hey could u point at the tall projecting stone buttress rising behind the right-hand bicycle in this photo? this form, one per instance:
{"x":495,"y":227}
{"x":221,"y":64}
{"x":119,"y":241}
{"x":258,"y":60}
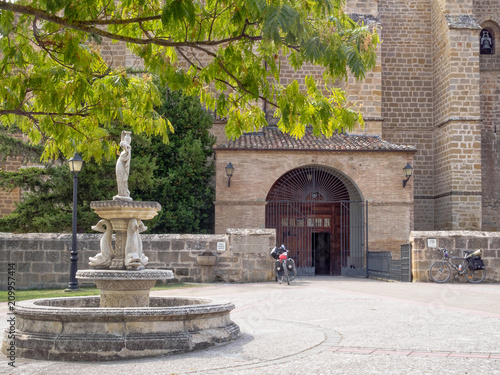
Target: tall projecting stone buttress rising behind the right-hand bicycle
{"x":457,"y":135}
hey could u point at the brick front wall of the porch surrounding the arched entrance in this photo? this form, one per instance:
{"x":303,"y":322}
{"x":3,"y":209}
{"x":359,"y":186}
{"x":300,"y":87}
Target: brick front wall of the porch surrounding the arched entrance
{"x":373,"y":173}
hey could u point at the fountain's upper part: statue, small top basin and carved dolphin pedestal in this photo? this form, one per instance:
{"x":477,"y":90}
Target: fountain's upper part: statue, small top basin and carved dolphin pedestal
{"x":124,"y":217}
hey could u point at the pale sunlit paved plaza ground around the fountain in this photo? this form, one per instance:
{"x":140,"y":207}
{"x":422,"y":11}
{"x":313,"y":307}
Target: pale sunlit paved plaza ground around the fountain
{"x":330,"y":325}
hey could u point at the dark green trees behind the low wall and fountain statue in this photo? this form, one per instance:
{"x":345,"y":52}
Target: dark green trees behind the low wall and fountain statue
{"x":177,"y":175}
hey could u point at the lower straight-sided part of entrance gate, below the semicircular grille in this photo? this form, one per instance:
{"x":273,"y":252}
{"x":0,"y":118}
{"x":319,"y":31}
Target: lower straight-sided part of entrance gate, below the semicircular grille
{"x":326,"y":238}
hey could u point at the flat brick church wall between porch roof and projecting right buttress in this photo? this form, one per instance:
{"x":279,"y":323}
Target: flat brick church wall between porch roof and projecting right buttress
{"x":407,"y":98}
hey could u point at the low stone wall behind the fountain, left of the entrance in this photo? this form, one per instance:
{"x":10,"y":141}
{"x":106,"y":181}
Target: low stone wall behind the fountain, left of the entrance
{"x":240,"y":255}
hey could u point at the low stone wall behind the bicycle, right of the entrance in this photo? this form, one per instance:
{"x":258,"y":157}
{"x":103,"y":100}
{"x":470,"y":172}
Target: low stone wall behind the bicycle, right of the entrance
{"x":456,"y":242}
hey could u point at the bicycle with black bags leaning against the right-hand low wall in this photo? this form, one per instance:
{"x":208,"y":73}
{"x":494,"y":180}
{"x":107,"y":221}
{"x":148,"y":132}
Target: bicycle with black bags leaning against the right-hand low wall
{"x":471,"y":265}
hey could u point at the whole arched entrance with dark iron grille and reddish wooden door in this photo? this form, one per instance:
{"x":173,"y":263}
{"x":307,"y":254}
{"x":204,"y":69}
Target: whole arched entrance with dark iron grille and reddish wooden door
{"x":319,"y":214}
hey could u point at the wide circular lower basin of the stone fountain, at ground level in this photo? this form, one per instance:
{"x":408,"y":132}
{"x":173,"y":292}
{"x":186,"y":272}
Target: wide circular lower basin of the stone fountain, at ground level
{"x":77,"y":329}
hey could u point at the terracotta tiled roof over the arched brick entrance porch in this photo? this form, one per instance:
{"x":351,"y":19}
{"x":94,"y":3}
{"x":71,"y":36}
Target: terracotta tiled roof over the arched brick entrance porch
{"x":272,"y":138}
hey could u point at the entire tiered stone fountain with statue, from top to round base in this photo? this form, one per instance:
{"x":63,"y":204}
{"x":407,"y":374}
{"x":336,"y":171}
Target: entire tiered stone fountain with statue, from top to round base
{"x":124,"y":322}
